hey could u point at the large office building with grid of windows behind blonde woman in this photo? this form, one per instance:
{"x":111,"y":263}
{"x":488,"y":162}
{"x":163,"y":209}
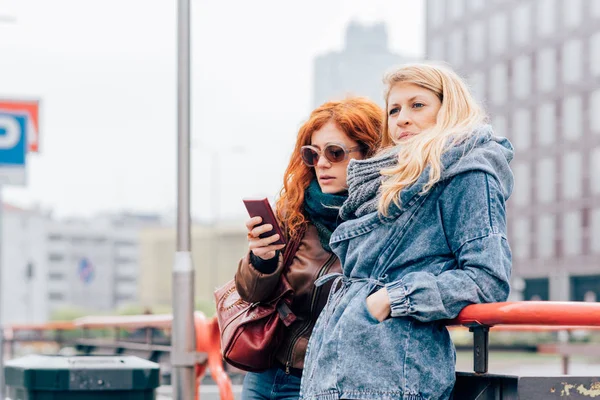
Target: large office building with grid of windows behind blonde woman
{"x":535,"y":64}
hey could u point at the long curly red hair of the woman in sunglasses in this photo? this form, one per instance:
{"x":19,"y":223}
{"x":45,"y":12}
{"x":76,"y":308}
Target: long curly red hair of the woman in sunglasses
{"x":359,"y":118}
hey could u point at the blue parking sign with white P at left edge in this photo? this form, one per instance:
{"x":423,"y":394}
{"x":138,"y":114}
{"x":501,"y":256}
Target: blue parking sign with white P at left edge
{"x":13,"y":148}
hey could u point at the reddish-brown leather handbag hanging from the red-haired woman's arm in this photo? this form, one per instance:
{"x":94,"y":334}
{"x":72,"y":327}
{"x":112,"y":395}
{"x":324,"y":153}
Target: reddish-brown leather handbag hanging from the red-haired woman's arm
{"x":252,"y":332}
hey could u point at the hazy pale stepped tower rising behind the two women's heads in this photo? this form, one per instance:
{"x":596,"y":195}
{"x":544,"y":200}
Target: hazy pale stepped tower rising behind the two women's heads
{"x":356,"y":70}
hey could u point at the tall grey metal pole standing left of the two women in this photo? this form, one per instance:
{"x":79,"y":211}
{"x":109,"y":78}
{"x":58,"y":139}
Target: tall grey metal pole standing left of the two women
{"x":183,"y":354}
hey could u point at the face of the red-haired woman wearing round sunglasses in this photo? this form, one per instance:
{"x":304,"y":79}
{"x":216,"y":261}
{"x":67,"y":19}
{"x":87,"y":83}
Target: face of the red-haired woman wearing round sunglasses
{"x":332,"y":176}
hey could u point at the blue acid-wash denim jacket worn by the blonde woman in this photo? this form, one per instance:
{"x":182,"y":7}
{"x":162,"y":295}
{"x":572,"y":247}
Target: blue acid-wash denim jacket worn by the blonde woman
{"x":437,"y":253}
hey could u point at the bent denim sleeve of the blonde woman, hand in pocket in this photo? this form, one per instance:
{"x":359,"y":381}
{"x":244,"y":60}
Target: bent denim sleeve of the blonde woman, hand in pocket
{"x":472,"y":211}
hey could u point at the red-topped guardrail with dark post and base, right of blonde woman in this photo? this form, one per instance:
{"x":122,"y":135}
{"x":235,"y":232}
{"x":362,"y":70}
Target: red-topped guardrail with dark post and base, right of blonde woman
{"x":525,"y":315}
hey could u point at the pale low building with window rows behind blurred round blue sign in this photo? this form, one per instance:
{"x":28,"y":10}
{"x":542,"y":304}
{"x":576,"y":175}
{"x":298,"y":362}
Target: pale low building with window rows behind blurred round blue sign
{"x":92,"y":265}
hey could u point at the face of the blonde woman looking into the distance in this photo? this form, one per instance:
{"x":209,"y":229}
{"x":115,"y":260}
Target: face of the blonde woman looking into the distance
{"x":411,"y":110}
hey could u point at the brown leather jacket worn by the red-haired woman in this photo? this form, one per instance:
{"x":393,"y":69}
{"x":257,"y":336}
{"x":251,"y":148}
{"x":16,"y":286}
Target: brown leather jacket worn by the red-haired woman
{"x":310,"y":263}
